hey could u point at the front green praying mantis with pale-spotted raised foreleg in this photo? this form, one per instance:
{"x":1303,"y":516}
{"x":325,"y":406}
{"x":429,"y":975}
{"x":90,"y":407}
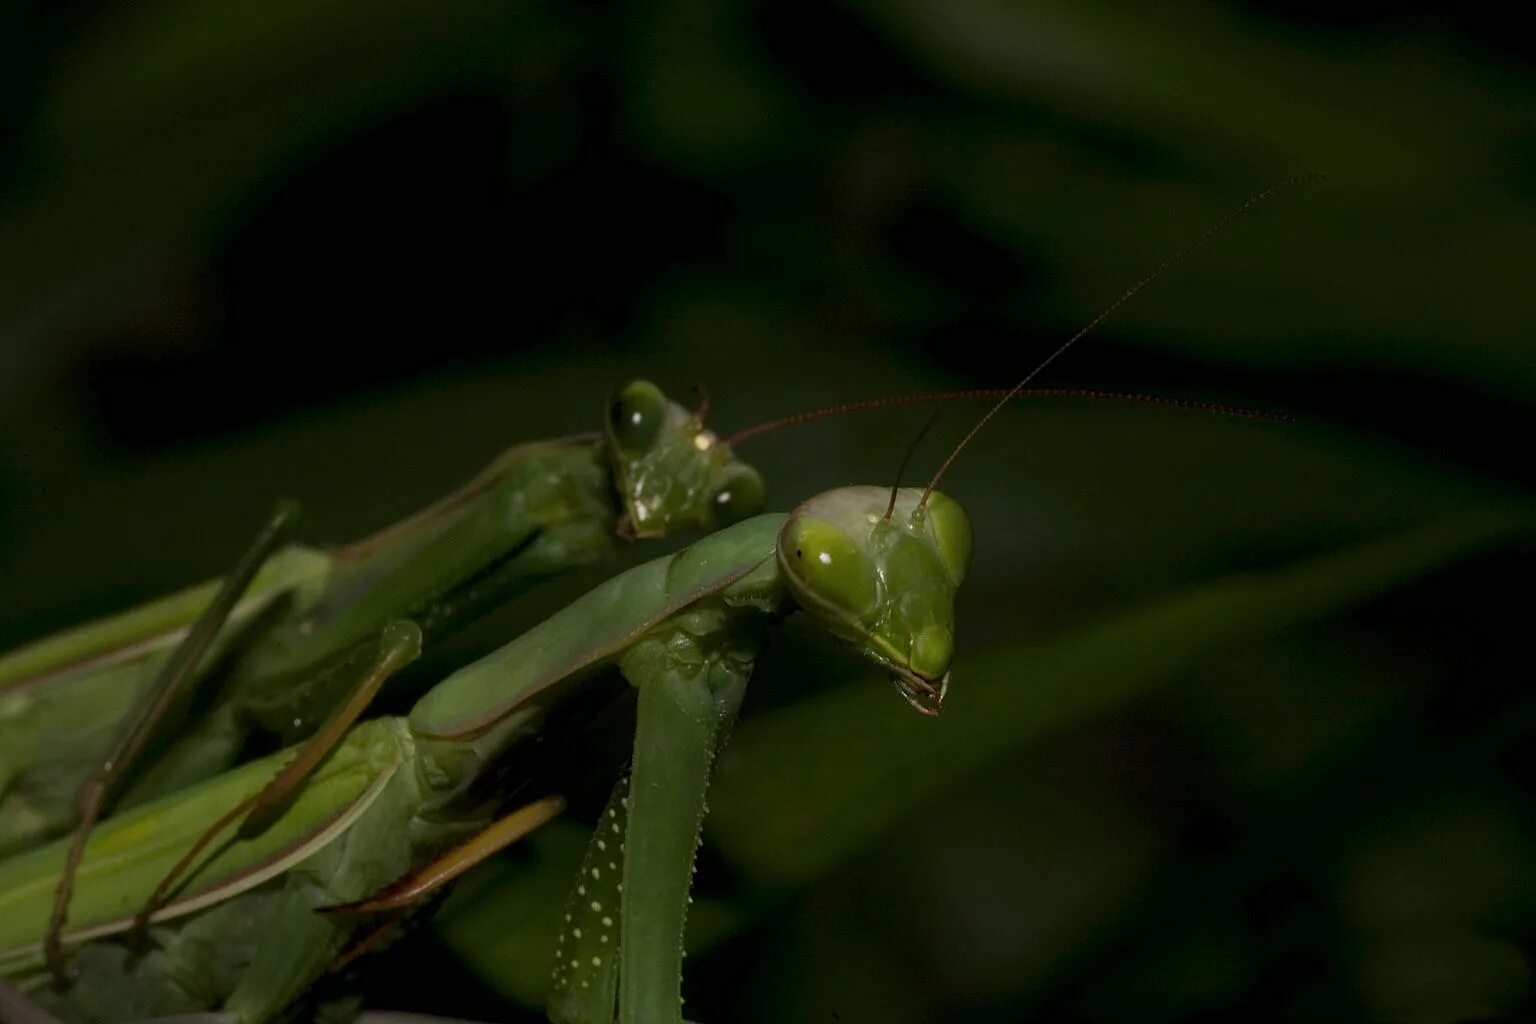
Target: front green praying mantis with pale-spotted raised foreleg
{"x":257,"y":907}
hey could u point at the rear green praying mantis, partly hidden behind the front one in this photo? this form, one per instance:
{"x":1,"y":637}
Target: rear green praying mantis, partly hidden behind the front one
{"x":294,"y":633}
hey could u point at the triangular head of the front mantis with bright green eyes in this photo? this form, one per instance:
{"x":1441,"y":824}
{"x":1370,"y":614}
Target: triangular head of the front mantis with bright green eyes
{"x":884,"y":583}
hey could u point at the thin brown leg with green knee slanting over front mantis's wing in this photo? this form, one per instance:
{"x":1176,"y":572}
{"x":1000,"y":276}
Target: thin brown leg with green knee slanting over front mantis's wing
{"x":400,"y":644}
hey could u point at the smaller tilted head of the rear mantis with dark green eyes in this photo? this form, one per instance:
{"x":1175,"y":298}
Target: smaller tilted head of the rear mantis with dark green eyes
{"x":670,"y":472}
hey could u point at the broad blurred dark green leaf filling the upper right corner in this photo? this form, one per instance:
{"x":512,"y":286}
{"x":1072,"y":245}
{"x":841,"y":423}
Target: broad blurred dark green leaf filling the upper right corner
{"x":1408,"y":254}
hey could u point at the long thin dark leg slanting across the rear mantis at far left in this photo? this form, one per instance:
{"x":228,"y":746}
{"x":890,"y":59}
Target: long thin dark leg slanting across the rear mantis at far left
{"x":179,"y":670}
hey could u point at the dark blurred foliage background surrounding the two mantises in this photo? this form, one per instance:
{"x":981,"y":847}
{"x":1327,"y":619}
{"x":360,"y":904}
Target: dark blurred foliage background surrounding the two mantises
{"x":349,"y":251}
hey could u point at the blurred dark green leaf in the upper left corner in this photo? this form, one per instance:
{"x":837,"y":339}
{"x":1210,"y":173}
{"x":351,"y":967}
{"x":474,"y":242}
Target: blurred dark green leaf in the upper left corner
{"x":162,"y":117}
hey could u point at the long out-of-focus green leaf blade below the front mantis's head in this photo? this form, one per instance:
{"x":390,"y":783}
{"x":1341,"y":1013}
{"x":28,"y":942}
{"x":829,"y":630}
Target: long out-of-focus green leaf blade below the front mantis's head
{"x":809,"y":785}
